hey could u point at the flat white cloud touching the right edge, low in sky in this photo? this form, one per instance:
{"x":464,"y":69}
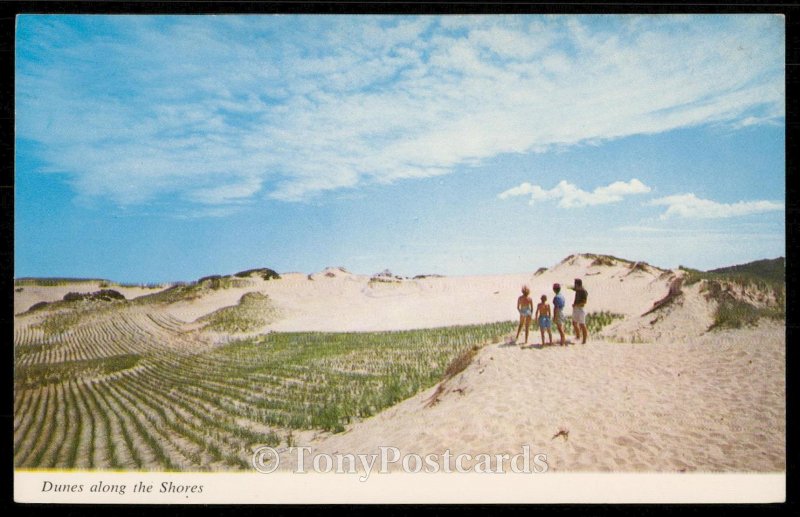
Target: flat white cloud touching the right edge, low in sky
{"x":692,"y":207}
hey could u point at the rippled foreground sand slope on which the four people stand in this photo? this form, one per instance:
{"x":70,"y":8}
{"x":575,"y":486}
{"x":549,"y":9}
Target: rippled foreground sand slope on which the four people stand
{"x":715,"y":403}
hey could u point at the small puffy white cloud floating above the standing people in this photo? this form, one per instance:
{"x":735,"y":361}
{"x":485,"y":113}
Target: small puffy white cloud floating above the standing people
{"x":570,"y":196}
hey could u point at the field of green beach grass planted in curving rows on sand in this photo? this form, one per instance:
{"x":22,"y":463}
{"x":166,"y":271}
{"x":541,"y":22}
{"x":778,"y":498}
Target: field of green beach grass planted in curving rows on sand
{"x":135,"y":390}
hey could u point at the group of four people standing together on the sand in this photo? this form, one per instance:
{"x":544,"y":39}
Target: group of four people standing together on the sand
{"x":543,"y":317}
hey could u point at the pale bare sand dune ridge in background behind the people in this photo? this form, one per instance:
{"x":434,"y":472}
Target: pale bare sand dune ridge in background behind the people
{"x":334,"y":300}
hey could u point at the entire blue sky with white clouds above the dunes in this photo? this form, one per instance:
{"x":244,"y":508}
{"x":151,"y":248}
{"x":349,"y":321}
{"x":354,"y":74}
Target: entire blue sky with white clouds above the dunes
{"x":159,"y":148}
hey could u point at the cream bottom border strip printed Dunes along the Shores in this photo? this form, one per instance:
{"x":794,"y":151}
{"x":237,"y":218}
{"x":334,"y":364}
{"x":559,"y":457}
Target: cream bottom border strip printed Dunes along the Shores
{"x":401,"y":488}
